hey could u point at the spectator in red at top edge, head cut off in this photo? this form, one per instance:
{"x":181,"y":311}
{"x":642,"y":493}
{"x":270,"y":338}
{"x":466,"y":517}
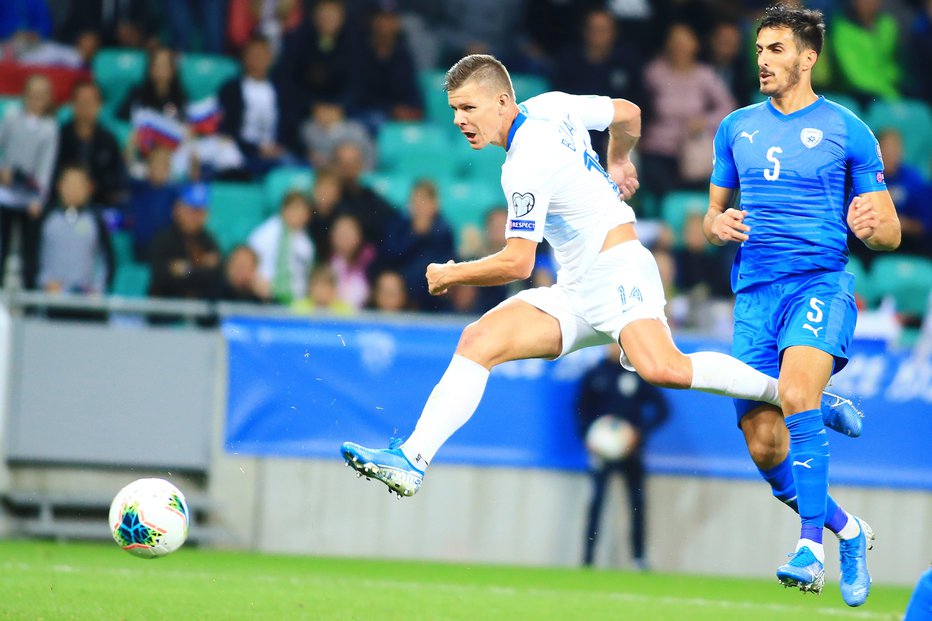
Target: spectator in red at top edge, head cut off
{"x":271,"y":19}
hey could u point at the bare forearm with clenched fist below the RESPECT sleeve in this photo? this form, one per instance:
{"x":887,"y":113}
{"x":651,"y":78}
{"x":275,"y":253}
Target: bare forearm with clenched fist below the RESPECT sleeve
{"x":514,"y":262}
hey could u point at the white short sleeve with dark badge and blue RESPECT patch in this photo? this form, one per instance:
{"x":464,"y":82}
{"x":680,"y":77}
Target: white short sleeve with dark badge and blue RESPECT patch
{"x":528,"y":189}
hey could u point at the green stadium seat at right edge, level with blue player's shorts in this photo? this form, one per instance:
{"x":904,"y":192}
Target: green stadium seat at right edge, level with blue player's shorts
{"x":907,"y":279}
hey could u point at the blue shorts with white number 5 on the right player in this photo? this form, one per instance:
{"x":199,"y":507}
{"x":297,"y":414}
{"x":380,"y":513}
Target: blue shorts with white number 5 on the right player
{"x":817,"y":310}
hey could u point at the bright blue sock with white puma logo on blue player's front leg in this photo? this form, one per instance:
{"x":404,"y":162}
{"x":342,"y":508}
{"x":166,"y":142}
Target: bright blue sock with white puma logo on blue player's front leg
{"x":809,"y":452}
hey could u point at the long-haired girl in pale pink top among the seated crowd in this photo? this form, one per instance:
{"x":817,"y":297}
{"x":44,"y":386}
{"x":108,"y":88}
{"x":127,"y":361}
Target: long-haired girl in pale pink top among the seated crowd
{"x":351,"y":258}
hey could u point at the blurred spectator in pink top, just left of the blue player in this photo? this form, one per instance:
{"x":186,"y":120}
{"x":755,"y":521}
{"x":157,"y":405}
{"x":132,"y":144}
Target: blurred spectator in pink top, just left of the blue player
{"x":686,"y":102}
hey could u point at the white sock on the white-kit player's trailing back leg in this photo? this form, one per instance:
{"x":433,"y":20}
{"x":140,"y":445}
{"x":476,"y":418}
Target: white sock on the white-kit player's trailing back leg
{"x":720,"y":374}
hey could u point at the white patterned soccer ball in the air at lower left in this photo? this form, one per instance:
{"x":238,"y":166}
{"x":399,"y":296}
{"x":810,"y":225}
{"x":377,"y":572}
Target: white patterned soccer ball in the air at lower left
{"x":149,"y":518}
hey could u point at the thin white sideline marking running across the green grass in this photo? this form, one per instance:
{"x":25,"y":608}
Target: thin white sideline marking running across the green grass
{"x":843,"y":613}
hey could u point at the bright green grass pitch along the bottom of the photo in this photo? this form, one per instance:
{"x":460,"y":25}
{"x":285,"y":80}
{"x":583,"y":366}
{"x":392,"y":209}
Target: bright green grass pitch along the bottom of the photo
{"x":95,"y":582}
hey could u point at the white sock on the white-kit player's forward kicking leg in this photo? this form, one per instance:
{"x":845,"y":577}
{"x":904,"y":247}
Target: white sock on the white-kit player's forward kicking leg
{"x":450,"y":405}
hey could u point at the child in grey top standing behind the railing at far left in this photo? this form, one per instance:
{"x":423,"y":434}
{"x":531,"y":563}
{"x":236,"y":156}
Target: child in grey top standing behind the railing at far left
{"x":75,"y":253}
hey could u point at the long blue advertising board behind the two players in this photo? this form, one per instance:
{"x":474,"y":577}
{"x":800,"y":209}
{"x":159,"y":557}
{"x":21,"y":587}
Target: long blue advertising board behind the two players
{"x":300,"y":388}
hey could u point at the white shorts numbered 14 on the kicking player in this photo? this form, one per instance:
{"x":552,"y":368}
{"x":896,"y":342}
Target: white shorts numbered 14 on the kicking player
{"x":623,"y":285}
